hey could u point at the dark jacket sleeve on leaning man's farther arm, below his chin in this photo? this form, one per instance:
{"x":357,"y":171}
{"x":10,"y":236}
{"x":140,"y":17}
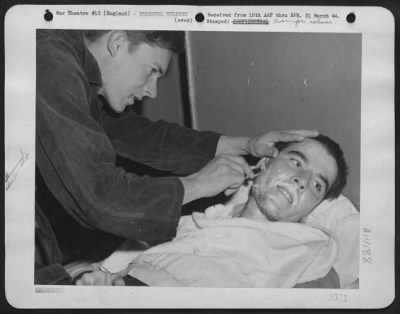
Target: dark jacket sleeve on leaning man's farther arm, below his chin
{"x":161,"y":145}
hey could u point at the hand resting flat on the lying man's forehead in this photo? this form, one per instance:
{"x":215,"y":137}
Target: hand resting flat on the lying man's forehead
{"x":263,"y":145}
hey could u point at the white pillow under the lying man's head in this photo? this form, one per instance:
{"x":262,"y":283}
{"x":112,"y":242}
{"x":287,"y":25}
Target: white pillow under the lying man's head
{"x":342,"y":219}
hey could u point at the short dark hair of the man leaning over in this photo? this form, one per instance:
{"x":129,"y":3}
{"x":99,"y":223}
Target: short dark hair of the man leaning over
{"x":171,"y":40}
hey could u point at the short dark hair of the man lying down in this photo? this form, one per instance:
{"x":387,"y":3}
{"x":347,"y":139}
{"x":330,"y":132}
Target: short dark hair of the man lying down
{"x":336,"y":152}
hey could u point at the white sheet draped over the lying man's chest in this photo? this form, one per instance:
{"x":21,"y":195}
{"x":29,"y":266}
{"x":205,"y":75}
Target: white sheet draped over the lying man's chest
{"x":215,"y":250}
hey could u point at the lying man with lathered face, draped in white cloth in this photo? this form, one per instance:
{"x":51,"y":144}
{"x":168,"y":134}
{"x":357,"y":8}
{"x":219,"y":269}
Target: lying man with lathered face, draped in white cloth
{"x":262,"y":243}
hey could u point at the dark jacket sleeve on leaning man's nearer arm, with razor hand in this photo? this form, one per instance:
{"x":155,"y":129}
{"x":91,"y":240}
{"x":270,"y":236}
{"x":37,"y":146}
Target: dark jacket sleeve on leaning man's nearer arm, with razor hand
{"x":77,"y":160}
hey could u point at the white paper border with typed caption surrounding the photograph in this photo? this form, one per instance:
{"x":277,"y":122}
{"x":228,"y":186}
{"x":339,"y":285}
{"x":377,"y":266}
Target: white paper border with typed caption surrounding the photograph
{"x":377,"y":162}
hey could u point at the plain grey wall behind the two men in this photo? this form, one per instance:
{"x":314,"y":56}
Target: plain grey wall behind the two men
{"x":248,"y":83}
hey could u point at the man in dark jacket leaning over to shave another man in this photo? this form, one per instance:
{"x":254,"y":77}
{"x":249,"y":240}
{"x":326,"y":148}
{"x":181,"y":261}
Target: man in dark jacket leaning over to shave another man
{"x":86,"y":80}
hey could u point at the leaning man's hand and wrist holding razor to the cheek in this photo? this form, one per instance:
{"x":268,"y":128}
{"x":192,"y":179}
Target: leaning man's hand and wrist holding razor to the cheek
{"x":223,"y":173}
